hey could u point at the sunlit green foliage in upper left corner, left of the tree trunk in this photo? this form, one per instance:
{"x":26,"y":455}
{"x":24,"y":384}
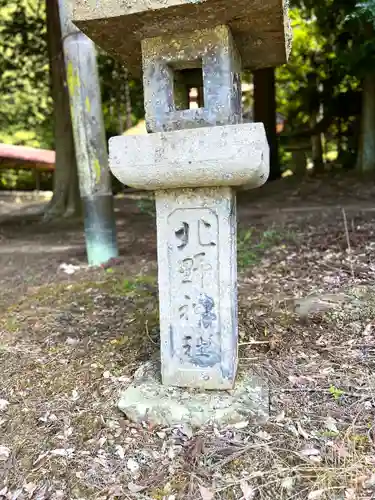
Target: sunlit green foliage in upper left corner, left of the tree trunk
{"x":25,"y":103}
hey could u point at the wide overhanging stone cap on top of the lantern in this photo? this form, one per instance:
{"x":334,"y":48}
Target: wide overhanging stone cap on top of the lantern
{"x":260,"y":28}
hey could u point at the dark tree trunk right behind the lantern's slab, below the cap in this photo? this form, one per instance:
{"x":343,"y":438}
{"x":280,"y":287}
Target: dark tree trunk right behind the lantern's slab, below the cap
{"x":265,"y":111}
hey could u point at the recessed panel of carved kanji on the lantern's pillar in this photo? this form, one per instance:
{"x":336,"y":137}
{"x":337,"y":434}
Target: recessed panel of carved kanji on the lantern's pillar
{"x":194,"y":286}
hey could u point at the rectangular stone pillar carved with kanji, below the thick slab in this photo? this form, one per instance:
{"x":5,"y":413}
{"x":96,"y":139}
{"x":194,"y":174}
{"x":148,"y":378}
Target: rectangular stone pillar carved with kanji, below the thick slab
{"x":196,"y":235}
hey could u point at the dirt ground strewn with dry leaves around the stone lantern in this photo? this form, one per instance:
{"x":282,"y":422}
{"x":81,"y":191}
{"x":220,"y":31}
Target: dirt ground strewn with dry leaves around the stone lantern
{"x":71,"y":337}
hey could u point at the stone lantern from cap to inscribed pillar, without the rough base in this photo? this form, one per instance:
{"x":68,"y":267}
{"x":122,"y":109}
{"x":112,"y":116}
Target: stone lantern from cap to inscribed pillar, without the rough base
{"x":193,"y":159}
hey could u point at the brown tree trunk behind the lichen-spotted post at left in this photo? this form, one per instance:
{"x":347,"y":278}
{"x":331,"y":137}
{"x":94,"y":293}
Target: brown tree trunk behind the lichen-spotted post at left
{"x":66,"y":199}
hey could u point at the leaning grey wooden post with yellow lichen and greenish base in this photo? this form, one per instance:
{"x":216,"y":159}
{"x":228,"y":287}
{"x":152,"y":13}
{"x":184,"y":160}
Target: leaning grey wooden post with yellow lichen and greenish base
{"x":89,"y":140}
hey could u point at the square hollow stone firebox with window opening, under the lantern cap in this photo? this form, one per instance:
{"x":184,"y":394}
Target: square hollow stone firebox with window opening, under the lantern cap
{"x":169,"y":61}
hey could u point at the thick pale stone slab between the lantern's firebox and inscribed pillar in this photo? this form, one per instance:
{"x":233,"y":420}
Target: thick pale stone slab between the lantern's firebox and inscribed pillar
{"x":232,"y":155}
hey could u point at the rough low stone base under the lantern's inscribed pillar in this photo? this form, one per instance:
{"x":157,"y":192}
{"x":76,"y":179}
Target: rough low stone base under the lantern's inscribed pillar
{"x":148,"y":400}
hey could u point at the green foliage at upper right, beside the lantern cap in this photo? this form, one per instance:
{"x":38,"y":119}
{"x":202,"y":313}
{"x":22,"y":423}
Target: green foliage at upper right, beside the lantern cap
{"x":333,"y":50}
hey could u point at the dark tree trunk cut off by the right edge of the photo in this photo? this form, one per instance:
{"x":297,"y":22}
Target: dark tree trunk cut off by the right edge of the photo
{"x":366,"y":150}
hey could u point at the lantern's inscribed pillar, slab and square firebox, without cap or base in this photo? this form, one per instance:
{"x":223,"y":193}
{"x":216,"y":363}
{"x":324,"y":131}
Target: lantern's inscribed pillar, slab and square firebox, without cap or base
{"x":193,"y":158}
